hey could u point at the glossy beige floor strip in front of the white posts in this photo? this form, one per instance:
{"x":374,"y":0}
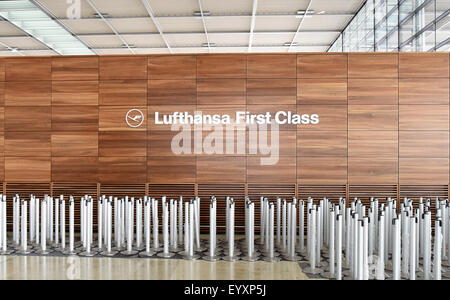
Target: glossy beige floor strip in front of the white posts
{"x":52,"y":268}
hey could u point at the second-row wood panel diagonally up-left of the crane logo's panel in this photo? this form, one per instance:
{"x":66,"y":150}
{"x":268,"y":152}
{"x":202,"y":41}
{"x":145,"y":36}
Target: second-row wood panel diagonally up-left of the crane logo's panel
{"x":75,"y":93}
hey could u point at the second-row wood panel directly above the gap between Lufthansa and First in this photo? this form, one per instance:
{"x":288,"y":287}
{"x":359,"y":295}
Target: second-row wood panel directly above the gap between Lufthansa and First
{"x":221,"y":91}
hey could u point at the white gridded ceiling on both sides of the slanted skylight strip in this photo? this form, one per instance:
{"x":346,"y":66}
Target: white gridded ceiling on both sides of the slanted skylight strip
{"x":188,"y":26}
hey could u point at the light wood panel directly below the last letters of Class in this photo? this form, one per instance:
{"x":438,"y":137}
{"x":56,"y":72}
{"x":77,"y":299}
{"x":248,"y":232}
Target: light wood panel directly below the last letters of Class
{"x":322,"y":143}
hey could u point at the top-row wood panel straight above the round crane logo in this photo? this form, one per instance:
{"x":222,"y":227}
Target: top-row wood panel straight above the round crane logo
{"x":123,"y":67}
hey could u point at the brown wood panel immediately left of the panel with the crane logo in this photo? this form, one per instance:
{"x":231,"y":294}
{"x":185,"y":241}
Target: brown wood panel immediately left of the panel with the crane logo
{"x":75,"y":118}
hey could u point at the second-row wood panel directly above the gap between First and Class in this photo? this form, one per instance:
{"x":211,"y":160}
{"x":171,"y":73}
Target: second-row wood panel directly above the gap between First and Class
{"x":271,"y":91}
